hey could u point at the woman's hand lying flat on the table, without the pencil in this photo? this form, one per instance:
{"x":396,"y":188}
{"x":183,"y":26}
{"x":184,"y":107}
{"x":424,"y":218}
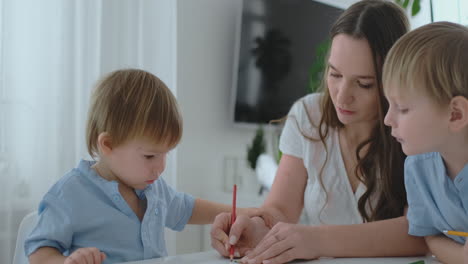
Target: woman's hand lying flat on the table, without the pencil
{"x":284,"y":243}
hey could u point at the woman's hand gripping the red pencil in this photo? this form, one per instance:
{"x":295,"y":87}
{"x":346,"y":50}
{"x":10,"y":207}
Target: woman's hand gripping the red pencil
{"x":245,"y":233}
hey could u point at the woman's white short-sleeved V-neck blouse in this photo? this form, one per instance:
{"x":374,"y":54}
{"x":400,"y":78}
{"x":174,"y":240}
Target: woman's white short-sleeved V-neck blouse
{"x":342,"y":205}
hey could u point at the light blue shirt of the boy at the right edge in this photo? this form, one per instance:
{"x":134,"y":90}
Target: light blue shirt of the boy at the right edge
{"x":436,"y":202}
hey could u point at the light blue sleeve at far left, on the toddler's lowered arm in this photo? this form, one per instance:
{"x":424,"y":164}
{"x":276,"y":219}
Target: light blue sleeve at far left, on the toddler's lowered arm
{"x":54,"y":228}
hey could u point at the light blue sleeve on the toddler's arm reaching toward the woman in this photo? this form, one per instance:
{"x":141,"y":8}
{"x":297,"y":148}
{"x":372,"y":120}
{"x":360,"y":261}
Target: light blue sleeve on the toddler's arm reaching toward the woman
{"x":179,"y":207}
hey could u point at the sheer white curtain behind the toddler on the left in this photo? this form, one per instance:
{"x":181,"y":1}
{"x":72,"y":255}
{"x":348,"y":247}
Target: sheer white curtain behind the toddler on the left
{"x":51,"y":54}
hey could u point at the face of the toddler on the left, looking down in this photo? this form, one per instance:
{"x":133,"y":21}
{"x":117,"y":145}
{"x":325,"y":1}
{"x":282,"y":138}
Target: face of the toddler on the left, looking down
{"x":138,"y":163}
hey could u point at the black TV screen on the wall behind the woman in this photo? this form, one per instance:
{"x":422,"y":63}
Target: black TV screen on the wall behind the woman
{"x":277,"y":47}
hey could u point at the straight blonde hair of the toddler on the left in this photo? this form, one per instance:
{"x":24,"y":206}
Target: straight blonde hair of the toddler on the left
{"x":133,"y":103}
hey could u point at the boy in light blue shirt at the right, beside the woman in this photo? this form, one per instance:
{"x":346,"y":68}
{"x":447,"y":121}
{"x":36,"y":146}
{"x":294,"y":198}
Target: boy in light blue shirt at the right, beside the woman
{"x":426,"y":82}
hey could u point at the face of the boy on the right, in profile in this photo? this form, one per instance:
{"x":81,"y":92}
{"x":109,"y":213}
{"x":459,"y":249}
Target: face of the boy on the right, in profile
{"x":417,"y":122}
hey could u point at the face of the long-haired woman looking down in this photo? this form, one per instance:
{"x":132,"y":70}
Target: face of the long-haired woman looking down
{"x":352,"y":81}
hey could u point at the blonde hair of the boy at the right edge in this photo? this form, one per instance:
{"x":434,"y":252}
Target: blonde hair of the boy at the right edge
{"x":432,"y":59}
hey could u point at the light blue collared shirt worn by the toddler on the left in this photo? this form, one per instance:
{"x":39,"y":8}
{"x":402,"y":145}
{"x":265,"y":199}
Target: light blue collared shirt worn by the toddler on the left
{"x":84,"y":210}
